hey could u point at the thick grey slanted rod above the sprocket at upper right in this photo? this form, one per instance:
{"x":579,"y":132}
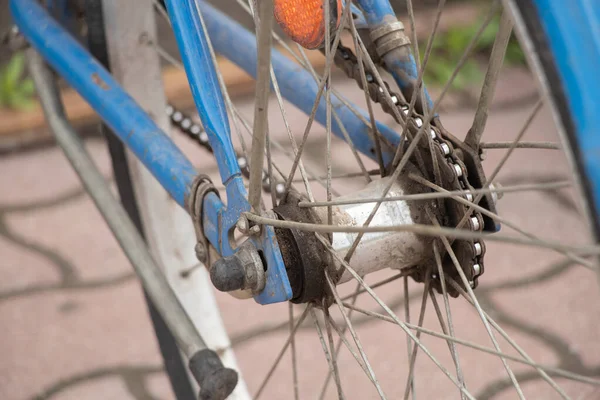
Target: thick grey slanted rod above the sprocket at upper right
{"x":491,"y":79}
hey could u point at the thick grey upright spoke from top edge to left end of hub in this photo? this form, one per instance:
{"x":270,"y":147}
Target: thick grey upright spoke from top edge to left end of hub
{"x":261,"y":114}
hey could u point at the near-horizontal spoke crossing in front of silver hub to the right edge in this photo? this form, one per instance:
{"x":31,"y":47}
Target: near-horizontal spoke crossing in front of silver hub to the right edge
{"x":426,"y":230}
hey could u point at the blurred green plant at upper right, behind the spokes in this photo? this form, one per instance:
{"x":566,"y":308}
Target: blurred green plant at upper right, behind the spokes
{"x":449,"y":46}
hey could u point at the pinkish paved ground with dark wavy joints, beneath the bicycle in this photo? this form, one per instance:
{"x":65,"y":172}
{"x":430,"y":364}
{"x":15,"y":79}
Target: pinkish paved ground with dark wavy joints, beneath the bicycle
{"x":74,"y":325}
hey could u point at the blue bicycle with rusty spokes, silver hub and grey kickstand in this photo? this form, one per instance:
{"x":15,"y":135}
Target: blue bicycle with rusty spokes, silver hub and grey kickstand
{"x":431,"y":185}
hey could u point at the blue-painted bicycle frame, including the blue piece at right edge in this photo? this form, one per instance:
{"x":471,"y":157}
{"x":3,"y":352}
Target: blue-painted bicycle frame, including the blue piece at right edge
{"x":176,"y":174}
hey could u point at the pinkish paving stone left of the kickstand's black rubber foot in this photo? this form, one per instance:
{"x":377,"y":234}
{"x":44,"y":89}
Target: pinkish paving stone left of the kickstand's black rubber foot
{"x":53,"y":336}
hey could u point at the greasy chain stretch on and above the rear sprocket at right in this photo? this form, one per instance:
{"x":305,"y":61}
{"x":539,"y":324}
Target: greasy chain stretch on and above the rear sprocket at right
{"x":454,"y":174}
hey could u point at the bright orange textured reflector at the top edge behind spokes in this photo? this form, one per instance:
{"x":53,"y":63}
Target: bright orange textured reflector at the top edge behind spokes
{"x":302,"y":20}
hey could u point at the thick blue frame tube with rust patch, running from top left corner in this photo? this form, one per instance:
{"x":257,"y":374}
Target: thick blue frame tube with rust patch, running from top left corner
{"x":125,"y":117}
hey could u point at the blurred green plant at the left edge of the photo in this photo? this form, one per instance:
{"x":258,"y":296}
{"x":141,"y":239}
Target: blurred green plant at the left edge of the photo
{"x":16,"y":91}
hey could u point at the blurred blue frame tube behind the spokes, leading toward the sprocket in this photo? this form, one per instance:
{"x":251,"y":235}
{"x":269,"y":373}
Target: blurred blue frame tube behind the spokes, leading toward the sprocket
{"x":296,"y":84}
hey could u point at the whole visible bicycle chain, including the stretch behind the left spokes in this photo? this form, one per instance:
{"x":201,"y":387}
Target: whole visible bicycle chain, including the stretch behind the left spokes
{"x":470,"y":253}
